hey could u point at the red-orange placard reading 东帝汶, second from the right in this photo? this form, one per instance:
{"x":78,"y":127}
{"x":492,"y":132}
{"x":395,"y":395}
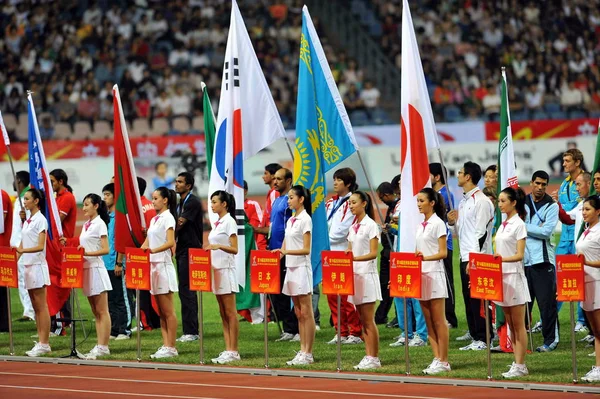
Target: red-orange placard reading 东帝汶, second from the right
{"x":485,"y":274}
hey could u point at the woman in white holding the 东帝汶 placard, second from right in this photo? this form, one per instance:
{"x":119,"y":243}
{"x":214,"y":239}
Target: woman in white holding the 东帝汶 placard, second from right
{"x":510,"y":245}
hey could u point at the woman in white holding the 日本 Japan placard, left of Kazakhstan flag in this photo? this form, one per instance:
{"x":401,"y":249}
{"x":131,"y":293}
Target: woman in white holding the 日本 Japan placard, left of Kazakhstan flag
{"x":298,"y":283}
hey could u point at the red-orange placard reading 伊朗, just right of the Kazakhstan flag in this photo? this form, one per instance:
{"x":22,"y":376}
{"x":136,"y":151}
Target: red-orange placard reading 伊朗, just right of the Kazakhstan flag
{"x":338,"y":273}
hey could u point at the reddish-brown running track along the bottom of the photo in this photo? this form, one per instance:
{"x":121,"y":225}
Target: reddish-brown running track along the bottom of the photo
{"x":42,"y":380}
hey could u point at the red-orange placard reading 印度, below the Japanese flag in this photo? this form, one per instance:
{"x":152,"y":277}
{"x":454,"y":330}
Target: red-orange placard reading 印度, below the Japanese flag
{"x":405,"y":275}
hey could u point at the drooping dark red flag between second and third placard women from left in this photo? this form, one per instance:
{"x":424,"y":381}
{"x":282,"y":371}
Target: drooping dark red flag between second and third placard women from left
{"x":129,"y":219}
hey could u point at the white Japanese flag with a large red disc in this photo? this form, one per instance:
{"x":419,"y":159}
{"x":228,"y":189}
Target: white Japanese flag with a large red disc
{"x":418,"y":134}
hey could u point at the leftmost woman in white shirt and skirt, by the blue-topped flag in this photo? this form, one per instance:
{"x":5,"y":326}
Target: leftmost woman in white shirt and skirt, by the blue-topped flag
{"x":37,"y":276}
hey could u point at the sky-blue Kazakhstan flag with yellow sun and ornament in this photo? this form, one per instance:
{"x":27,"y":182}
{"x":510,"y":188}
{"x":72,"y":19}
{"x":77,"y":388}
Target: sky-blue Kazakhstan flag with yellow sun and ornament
{"x":324,"y":135}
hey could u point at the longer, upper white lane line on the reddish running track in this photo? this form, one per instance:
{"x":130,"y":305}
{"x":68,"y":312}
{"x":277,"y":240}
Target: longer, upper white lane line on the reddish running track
{"x":195,"y":384}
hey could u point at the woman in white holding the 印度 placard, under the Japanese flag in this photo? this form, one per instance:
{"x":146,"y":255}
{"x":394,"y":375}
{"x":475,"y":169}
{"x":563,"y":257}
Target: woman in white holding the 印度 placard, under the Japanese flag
{"x":431,"y":246}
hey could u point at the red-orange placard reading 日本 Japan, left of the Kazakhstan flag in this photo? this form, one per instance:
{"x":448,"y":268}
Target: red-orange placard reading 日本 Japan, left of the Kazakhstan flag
{"x":264,"y":272}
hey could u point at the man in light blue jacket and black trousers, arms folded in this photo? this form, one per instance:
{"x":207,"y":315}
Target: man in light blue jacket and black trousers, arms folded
{"x":541,"y":219}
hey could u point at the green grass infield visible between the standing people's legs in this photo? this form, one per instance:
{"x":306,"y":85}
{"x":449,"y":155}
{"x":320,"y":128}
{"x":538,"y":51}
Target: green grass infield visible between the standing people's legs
{"x":543,"y":367}
